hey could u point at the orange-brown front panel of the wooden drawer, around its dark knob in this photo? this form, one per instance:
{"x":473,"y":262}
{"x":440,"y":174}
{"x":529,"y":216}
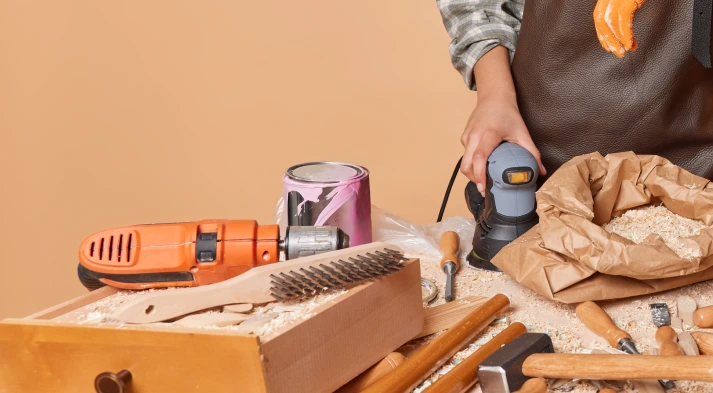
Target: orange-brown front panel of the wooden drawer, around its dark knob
{"x":42,"y":356}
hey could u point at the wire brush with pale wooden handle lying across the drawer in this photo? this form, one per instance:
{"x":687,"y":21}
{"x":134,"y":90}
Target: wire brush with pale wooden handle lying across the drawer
{"x":292,"y":280}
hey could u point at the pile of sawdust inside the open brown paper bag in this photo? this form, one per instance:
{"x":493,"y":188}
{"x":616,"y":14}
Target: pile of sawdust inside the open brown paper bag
{"x":638,"y":224}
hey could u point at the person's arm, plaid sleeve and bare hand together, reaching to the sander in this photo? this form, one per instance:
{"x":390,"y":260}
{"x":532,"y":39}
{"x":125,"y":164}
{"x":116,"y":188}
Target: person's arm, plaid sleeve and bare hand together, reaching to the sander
{"x":484,"y":34}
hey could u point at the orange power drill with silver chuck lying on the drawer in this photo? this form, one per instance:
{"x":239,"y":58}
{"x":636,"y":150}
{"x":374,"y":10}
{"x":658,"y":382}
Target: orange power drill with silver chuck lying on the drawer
{"x":193,"y":253}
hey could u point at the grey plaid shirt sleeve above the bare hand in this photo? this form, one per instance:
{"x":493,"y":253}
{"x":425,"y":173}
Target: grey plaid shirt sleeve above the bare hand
{"x":476,"y":27}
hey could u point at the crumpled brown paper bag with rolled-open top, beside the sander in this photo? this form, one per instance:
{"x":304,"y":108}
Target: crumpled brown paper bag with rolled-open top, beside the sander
{"x":569,"y":257}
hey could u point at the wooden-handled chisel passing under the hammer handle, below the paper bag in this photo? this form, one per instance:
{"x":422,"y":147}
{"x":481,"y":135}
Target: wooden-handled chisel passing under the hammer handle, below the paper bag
{"x":599,"y":322}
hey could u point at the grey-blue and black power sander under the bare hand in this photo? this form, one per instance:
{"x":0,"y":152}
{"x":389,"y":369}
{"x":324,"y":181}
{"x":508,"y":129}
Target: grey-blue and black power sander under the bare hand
{"x":508,"y":208}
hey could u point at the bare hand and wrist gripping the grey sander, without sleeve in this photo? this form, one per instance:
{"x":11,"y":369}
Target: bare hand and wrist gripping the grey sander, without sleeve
{"x":496,"y":117}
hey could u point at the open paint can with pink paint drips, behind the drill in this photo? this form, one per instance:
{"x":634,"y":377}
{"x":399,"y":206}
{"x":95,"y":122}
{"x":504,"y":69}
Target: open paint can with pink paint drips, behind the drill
{"x":330,"y":194}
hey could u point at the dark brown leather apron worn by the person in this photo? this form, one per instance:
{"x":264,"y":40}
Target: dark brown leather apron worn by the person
{"x":577,"y":98}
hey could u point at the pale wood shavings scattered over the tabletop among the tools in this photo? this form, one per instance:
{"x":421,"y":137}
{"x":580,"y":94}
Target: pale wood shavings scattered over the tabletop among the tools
{"x":569,"y":335}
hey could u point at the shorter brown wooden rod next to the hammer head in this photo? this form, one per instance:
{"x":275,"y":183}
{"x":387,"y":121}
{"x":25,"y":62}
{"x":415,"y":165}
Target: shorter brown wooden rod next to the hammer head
{"x":463,"y":376}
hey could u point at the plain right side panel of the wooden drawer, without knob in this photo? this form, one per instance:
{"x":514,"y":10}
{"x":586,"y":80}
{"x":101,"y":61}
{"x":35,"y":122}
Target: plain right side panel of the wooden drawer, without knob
{"x":339,"y":342}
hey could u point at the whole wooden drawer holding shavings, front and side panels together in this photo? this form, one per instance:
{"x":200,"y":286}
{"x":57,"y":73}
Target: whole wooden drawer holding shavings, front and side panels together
{"x":315,"y":355}
